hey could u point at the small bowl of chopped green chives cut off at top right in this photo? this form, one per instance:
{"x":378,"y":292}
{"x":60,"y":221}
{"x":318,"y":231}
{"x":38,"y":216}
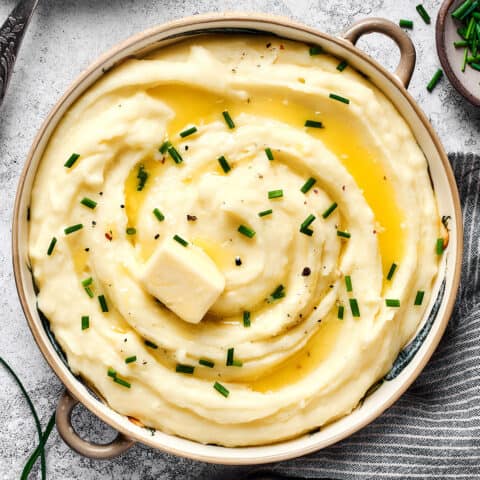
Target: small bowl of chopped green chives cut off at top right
{"x":458,"y":46}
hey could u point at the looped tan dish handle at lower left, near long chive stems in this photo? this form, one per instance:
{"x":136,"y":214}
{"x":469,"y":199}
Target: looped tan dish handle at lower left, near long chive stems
{"x":97,"y":451}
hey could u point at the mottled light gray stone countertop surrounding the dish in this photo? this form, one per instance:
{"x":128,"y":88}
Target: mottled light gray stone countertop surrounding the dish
{"x":65,"y":36}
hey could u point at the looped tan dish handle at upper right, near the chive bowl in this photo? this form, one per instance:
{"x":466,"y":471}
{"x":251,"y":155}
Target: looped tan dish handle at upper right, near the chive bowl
{"x":408,"y":55}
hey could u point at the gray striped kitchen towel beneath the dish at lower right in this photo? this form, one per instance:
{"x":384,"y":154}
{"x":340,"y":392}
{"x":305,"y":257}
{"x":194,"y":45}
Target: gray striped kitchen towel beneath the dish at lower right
{"x":433,"y":430}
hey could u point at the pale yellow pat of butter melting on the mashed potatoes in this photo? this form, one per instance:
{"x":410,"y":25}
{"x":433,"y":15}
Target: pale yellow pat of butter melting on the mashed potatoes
{"x":184,"y":279}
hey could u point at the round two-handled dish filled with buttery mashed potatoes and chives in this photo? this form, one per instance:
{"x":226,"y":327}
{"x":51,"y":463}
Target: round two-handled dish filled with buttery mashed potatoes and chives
{"x":237,"y":239}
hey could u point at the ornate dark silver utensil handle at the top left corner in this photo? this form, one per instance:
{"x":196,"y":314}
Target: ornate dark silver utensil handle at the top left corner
{"x":11,"y":36}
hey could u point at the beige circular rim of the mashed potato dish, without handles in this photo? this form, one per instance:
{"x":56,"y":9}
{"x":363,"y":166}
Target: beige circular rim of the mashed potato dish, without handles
{"x":190,"y":23}
